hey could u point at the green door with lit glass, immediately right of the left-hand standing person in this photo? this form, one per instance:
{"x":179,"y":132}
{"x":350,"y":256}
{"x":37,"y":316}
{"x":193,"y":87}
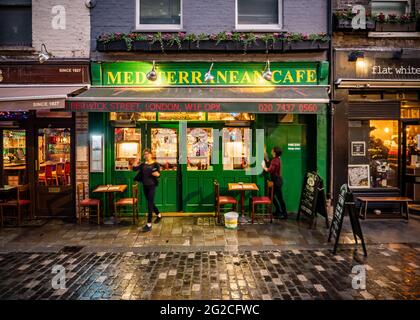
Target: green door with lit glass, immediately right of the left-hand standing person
{"x":163,"y":140}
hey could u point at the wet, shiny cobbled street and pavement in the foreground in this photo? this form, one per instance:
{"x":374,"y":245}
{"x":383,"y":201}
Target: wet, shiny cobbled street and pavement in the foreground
{"x":192,"y":258}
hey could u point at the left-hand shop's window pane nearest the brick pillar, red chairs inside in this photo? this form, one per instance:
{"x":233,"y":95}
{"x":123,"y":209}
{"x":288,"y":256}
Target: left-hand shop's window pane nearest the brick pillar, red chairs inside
{"x":54,"y":149}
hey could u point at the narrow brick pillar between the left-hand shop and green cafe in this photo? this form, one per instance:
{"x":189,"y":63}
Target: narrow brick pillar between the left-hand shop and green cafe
{"x":82,"y":149}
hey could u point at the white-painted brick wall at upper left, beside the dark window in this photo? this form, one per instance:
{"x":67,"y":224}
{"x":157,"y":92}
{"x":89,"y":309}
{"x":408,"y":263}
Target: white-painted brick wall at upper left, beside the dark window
{"x":74,"y":41}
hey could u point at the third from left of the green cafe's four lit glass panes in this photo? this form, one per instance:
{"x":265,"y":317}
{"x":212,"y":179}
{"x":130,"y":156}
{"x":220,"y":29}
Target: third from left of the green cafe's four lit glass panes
{"x":199,"y":148}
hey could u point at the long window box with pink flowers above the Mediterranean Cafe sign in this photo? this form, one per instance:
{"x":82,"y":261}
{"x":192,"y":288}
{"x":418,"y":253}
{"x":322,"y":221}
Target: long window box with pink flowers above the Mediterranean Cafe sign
{"x":223,"y":41}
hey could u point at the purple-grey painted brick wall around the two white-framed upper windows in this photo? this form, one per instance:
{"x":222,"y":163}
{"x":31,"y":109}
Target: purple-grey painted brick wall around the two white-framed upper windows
{"x":306,"y":16}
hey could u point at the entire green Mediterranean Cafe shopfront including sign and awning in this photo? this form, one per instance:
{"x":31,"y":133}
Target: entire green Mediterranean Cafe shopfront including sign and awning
{"x":202,"y":131}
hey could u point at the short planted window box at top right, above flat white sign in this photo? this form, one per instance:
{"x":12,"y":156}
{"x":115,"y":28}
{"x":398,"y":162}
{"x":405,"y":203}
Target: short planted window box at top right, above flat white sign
{"x":395,"y":23}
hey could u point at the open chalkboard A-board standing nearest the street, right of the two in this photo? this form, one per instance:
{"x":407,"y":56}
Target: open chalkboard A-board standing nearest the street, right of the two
{"x":345,"y":202}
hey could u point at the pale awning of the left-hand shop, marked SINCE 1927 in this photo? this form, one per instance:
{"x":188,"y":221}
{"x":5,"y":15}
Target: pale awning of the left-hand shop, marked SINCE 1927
{"x":36,"y":97}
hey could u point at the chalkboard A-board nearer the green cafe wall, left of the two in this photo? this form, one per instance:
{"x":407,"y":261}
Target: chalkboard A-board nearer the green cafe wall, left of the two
{"x":312,"y":199}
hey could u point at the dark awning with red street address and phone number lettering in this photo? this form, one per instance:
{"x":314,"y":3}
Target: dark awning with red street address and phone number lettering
{"x":297,"y":99}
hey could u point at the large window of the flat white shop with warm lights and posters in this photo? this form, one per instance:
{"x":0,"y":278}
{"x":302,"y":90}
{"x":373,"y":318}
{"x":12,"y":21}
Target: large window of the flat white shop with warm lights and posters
{"x":373,"y":154}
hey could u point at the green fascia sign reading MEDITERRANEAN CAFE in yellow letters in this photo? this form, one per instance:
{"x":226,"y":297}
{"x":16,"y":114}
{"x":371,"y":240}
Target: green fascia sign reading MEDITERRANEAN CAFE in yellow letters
{"x":224,"y":73}
